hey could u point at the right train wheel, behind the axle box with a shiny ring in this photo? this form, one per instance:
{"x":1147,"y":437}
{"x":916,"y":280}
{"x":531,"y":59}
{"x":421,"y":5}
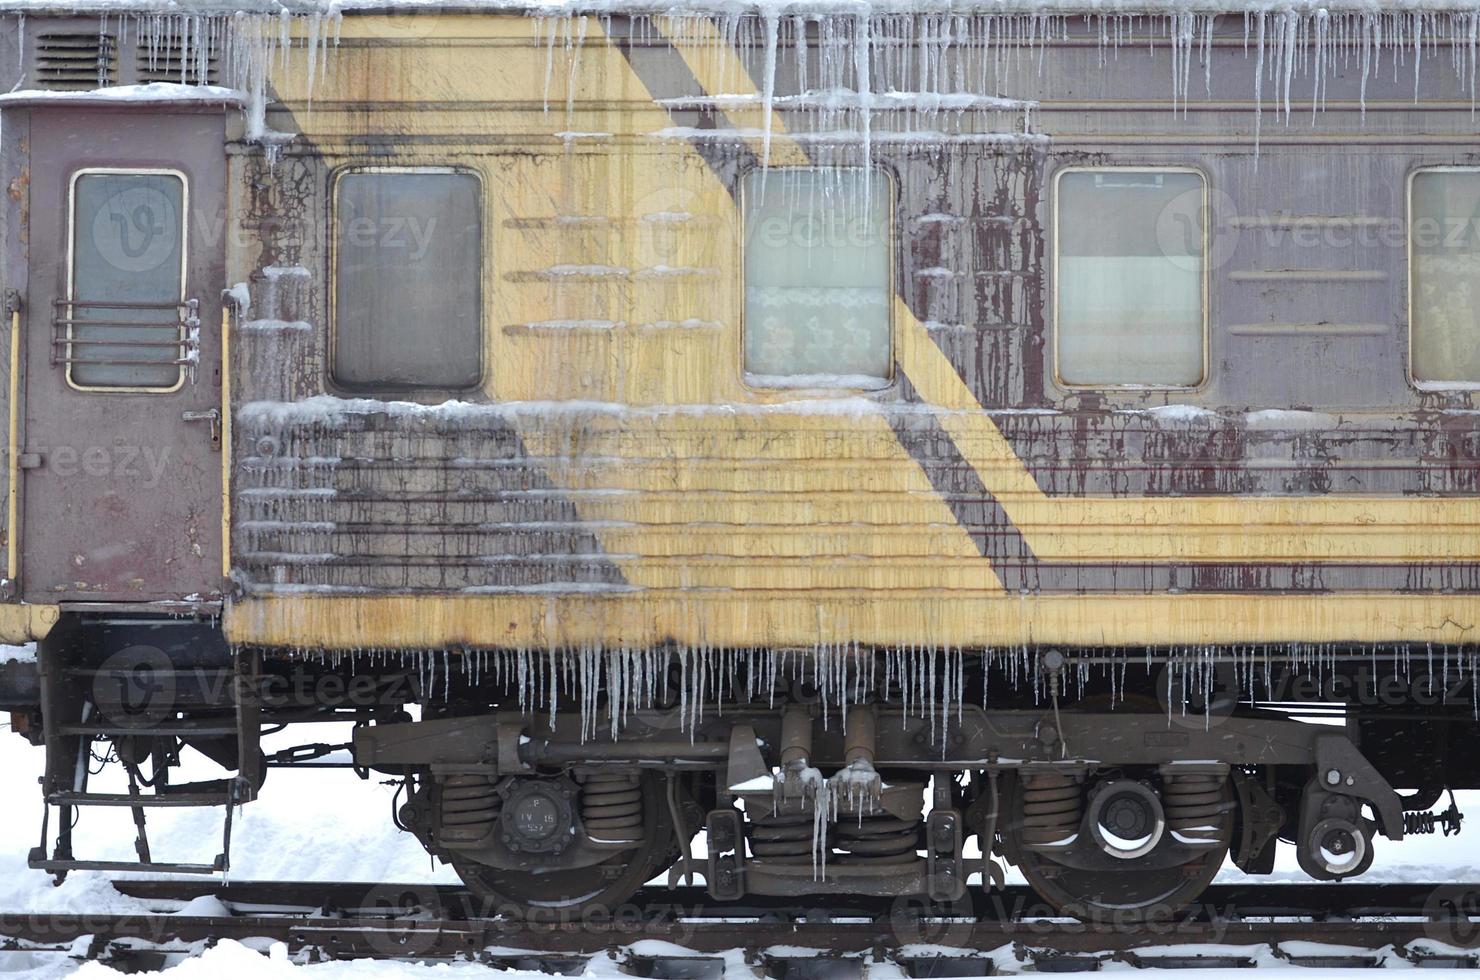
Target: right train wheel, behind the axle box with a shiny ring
{"x":1121,"y":852}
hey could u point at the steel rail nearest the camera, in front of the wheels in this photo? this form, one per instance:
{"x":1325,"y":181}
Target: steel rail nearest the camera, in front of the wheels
{"x":1454,"y":942}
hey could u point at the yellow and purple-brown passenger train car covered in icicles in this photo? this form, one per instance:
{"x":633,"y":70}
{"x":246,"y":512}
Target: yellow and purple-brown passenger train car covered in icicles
{"x":895,"y":442}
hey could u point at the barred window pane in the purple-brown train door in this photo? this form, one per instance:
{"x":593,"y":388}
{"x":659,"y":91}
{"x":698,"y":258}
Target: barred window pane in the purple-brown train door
{"x":124,"y":313}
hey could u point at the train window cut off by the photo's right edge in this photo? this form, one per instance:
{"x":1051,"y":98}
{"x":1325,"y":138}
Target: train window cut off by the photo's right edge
{"x":1445,"y":278}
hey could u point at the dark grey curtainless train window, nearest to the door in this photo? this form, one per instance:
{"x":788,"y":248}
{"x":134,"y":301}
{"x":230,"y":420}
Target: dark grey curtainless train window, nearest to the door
{"x":408,"y":279}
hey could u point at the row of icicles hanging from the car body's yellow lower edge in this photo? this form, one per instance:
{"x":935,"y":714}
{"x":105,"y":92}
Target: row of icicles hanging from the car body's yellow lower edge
{"x":609,"y":685}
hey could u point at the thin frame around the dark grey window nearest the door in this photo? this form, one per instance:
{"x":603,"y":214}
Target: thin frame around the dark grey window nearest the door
{"x":388,"y":389}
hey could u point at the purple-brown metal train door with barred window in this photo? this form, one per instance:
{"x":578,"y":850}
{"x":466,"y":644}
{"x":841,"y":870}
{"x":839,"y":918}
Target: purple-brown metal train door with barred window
{"x":122,"y":451}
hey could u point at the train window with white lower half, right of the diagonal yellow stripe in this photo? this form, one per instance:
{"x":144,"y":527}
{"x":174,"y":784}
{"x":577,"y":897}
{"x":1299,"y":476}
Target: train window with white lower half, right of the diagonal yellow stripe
{"x":1130,"y":278}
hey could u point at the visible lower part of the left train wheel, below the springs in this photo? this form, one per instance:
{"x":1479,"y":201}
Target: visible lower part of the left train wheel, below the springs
{"x":597,"y":890}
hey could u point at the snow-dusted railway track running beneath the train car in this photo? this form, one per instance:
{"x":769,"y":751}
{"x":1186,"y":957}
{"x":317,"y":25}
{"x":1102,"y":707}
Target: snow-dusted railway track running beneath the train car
{"x":679,"y":935}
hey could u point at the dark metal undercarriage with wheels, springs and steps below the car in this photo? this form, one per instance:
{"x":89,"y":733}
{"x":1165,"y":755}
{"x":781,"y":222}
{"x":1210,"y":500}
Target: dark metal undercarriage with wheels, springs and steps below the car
{"x":562,"y":782}
